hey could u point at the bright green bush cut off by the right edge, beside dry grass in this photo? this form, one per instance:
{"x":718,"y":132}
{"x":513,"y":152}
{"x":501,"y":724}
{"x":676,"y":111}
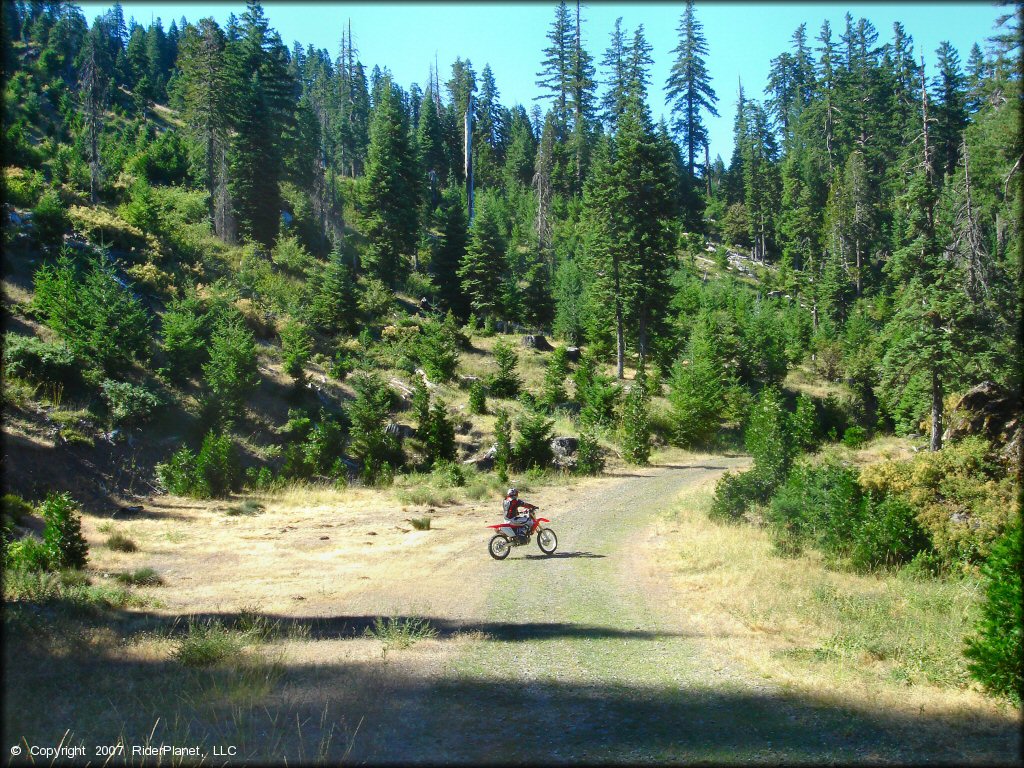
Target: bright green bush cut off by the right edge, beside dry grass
{"x":995,"y":651}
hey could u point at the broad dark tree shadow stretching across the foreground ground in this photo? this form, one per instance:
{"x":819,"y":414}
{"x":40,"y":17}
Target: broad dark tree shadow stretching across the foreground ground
{"x":101,"y":692}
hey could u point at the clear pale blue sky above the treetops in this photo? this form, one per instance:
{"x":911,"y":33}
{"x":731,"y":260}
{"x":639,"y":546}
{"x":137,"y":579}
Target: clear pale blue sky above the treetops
{"x":742,"y":37}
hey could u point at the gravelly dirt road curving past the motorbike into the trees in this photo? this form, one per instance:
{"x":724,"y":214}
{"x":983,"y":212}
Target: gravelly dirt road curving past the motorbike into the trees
{"x":590,"y":656}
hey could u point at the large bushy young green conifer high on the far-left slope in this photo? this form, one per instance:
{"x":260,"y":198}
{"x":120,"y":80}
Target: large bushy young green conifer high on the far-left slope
{"x":95,"y":313}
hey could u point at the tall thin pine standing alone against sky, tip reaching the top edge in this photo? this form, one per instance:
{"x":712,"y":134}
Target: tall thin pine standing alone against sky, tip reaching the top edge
{"x":689,"y":88}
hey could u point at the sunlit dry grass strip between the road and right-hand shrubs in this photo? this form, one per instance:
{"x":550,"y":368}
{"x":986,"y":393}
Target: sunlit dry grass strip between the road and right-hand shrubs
{"x":880,"y":638}
